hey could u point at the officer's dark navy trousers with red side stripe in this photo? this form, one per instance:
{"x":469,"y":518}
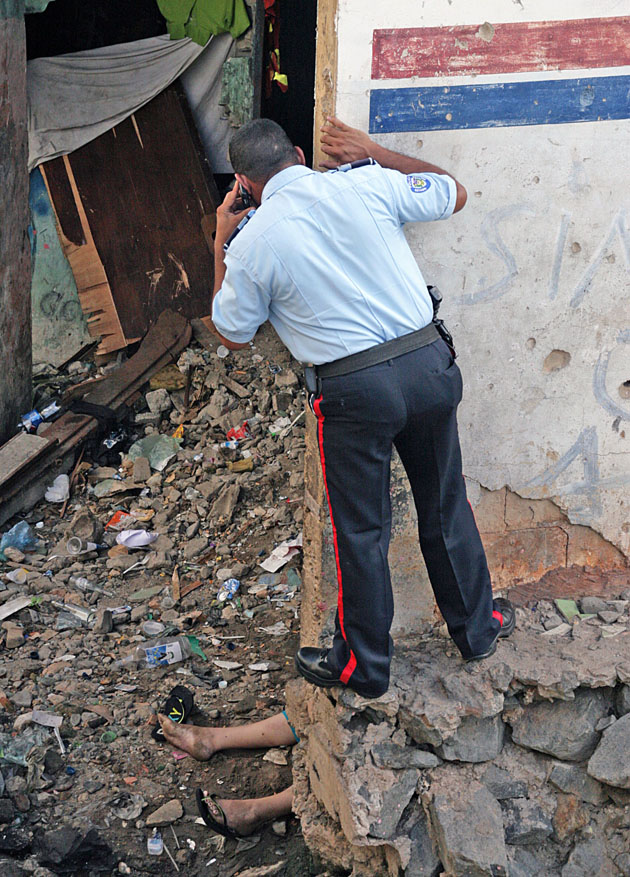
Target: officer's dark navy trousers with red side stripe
{"x":409,"y":402}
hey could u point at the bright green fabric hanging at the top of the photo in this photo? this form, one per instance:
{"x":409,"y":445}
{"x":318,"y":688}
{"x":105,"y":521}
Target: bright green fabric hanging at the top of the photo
{"x":200,"y":19}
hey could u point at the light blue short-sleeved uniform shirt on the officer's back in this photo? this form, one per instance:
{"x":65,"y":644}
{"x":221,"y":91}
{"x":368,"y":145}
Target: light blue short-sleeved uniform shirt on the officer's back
{"x":326,"y":261}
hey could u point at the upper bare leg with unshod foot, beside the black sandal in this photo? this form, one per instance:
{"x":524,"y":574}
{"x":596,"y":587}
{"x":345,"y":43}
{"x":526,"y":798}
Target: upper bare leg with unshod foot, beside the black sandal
{"x":202,"y":743}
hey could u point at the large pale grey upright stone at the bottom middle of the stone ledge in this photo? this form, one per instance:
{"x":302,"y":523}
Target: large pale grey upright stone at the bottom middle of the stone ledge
{"x":468,"y":825}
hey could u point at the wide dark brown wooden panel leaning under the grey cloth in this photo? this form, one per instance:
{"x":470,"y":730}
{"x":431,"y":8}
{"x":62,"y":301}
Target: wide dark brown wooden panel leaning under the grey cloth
{"x":144,"y":187}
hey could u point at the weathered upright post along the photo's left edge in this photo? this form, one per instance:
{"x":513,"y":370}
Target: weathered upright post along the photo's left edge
{"x":15,"y":302}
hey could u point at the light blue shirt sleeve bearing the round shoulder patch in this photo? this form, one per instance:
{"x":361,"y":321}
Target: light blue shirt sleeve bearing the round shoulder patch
{"x":422,"y":197}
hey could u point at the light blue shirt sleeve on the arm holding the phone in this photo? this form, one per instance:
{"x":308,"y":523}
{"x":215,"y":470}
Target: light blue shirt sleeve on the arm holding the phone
{"x":241,"y":305}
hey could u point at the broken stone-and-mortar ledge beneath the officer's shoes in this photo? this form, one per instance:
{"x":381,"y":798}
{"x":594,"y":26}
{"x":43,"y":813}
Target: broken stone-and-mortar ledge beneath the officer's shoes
{"x":517,"y":765}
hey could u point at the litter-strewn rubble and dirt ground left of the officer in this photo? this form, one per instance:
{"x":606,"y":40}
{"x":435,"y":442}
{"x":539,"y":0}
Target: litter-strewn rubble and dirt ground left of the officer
{"x":182,"y":531}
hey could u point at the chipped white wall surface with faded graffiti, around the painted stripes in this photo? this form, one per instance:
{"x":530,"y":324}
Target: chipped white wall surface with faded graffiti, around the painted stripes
{"x":538,"y":261}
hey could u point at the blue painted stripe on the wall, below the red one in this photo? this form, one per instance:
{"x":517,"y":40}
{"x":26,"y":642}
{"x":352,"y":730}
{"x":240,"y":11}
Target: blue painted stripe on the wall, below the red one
{"x":494,"y":105}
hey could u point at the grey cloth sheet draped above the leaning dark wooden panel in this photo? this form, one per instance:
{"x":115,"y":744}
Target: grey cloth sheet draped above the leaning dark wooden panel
{"x":75,"y":98}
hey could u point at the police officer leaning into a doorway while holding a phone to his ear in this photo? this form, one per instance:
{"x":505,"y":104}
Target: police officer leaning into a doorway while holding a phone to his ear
{"x":324,"y":258}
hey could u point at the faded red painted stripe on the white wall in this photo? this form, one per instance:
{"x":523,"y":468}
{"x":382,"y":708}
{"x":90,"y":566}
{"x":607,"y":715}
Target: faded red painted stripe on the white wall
{"x":505,"y":48}
